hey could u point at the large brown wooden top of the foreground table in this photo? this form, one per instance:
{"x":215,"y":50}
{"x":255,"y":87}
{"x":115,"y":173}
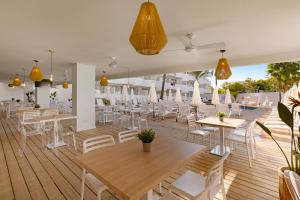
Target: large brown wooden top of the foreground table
{"x":130,"y":172}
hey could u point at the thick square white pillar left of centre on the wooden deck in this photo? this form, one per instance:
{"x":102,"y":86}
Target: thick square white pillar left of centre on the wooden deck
{"x":83,"y":96}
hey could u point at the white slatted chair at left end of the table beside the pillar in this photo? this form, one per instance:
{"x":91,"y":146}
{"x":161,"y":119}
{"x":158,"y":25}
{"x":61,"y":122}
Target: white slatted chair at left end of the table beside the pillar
{"x":29,"y":120}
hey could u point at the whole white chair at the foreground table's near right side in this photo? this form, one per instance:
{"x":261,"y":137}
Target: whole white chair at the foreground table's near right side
{"x":195,"y":186}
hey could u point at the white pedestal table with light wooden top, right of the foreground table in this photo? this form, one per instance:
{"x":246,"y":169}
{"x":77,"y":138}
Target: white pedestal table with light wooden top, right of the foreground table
{"x":231,"y":123}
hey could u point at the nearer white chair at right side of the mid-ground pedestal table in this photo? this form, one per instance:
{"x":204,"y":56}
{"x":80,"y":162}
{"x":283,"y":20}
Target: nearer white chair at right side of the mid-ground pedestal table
{"x":245,"y":136}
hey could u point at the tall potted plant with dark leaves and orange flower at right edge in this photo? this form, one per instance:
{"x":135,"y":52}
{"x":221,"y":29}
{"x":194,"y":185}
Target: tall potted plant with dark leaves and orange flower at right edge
{"x":287,"y":116}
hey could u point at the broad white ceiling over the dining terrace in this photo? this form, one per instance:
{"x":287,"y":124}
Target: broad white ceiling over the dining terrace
{"x":255,"y":31}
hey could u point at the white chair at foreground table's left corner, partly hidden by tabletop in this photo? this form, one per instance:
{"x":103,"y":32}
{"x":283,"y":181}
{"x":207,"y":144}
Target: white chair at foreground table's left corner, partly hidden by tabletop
{"x":90,"y":145}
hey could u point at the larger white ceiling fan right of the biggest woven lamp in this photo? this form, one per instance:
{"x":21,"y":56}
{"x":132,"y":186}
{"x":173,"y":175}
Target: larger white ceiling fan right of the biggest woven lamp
{"x":190,"y":47}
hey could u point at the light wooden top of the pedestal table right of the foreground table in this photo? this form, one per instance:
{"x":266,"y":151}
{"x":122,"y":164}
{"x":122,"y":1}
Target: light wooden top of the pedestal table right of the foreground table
{"x":227,"y":122}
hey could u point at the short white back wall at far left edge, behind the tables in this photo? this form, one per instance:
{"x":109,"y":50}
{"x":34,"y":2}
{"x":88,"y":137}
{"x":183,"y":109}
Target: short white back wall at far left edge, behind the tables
{"x":7,"y":93}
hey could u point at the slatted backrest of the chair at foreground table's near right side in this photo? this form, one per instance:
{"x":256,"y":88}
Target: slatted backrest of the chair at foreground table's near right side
{"x":214,"y":177}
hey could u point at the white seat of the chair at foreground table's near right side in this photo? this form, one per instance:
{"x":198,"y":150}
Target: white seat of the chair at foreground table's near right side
{"x":190,"y":184}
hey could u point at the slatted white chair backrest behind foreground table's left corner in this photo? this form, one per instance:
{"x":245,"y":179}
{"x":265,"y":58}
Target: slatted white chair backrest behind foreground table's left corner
{"x":97,"y":142}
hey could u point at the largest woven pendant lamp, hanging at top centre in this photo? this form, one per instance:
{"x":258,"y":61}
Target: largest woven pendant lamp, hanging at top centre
{"x":148,"y":36}
